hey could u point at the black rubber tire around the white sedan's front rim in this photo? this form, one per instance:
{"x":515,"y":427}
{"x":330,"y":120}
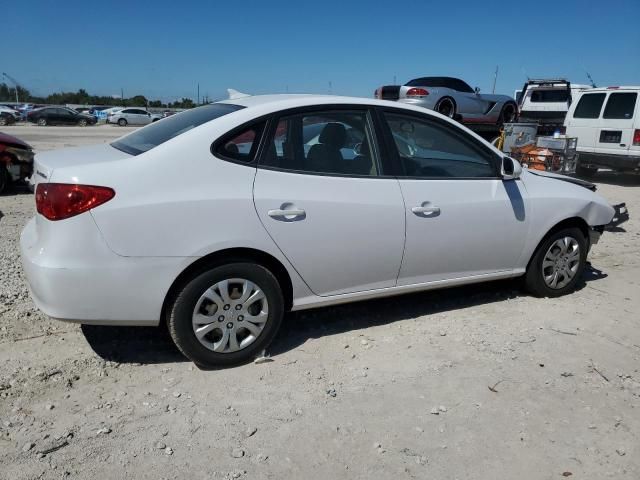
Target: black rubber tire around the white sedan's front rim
{"x":534,"y":278}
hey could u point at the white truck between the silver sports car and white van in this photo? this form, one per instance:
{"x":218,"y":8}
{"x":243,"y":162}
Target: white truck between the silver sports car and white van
{"x":547,"y":102}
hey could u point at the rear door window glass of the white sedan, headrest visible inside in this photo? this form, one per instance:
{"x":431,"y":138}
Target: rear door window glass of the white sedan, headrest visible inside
{"x":323,"y":142}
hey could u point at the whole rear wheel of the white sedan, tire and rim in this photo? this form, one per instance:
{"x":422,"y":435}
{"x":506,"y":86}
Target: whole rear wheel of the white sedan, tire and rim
{"x":226,"y":315}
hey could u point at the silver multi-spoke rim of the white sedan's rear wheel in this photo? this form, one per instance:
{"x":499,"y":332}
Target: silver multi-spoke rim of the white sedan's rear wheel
{"x":230,"y":315}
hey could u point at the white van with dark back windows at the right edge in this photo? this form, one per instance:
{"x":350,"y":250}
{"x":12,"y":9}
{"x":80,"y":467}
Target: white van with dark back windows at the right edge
{"x":606,"y":122}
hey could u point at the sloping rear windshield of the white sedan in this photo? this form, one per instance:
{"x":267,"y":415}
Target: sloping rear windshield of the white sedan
{"x":159,"y":132}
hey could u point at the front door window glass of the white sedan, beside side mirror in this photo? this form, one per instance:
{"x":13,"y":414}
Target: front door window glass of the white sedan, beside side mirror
{"x":429,"y":149}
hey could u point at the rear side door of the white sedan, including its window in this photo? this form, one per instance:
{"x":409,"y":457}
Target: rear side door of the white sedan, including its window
{"x":336,"y":218}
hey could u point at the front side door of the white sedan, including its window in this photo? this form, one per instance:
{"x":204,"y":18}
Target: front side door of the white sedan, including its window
{"x":462,"y":219}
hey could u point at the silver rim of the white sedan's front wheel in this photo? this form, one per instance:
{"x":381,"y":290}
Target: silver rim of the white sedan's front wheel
{"x":561,"y":262}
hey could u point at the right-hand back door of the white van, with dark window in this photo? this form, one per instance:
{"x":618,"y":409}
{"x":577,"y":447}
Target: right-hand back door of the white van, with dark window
{"x":615,"y":133}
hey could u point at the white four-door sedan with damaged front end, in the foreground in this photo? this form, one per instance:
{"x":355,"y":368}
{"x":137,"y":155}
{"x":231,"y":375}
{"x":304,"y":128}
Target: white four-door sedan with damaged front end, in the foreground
{"x":220,"y":219}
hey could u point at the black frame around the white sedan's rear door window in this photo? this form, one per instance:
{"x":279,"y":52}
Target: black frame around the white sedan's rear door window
{"x":327,"y":108}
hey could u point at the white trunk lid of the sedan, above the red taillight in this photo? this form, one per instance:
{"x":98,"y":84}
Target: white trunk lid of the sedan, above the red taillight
{"x":47,"y":162}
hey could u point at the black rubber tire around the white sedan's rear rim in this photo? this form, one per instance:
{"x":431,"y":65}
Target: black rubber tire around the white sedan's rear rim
{"x":181,"y":310}
